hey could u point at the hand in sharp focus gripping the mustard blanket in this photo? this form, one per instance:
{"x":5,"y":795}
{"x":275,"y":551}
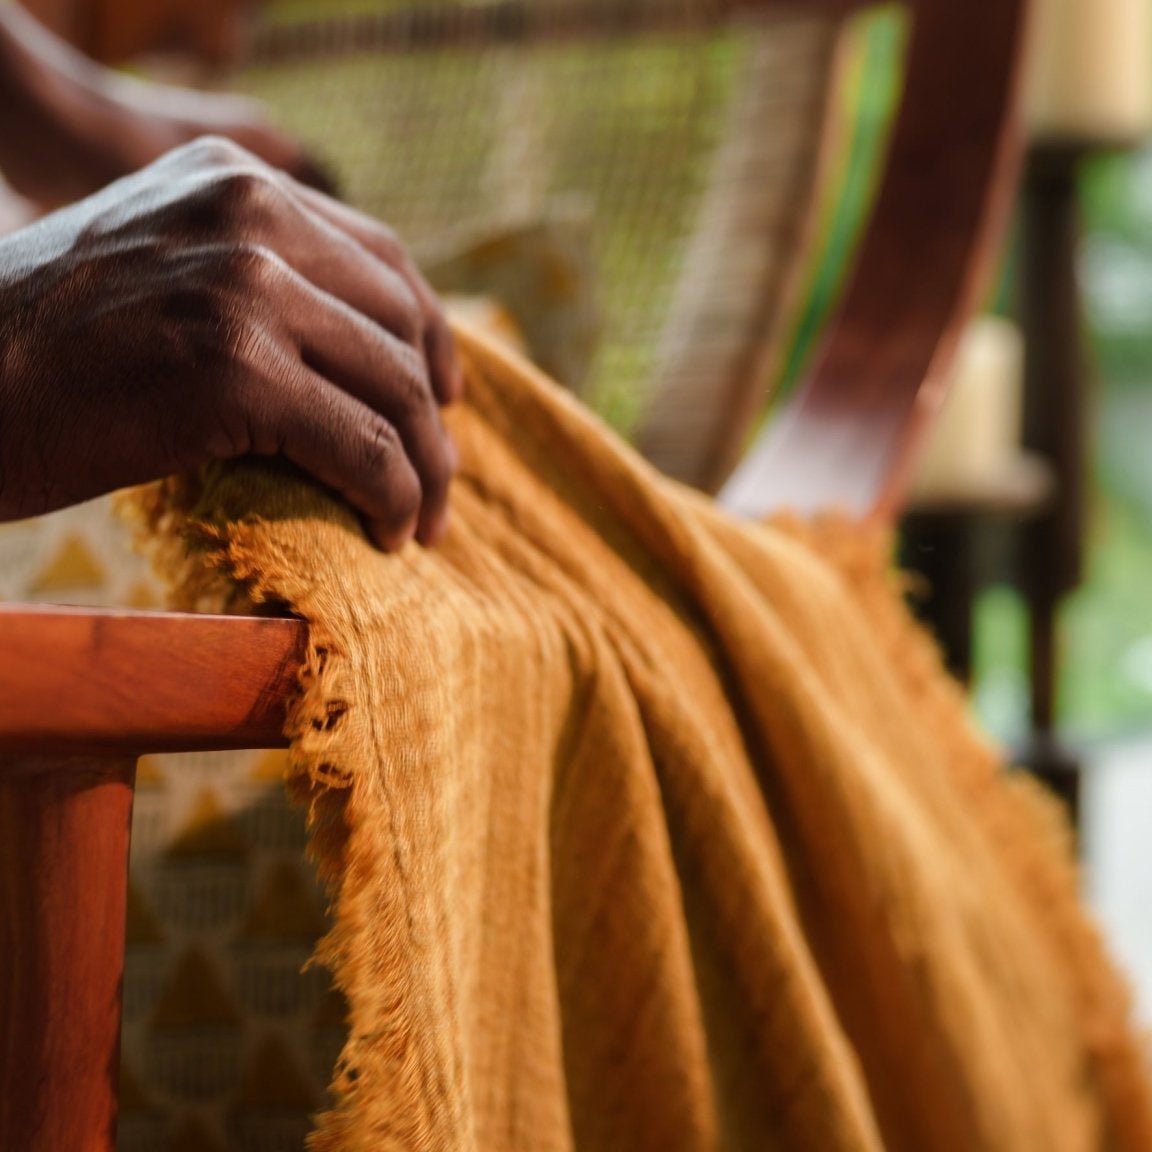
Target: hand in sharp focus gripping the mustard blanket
{"x":210,"y":307}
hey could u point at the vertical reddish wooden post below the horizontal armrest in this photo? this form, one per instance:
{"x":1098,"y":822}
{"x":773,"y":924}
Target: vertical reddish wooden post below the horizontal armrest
{"x":64,"y":873}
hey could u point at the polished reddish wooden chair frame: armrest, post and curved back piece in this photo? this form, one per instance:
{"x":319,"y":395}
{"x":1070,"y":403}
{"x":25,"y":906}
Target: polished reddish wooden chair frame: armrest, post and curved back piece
{"x":85,"y":693}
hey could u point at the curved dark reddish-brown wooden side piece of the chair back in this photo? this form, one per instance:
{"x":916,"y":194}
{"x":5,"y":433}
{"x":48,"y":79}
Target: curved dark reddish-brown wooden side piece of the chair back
{"x":850,"y":437}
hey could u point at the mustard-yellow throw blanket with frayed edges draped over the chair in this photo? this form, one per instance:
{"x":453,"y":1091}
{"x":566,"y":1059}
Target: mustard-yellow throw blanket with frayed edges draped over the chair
{"x":651,"y":831}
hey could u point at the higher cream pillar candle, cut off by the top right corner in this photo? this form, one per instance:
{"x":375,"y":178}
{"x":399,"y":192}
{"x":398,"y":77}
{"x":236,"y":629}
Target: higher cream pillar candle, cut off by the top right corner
{"x":1090,"y":72}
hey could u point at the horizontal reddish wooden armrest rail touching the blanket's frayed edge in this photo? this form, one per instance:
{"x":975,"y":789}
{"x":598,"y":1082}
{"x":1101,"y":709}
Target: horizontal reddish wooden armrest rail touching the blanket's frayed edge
{"x":82,"y":680}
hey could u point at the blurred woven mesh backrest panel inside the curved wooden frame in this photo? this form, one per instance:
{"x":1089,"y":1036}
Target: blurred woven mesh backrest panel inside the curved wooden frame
{"x":638,"y":183}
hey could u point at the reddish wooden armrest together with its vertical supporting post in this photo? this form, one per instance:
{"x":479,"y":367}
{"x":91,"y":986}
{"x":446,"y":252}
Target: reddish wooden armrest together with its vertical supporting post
{"x":82,"y":694}
